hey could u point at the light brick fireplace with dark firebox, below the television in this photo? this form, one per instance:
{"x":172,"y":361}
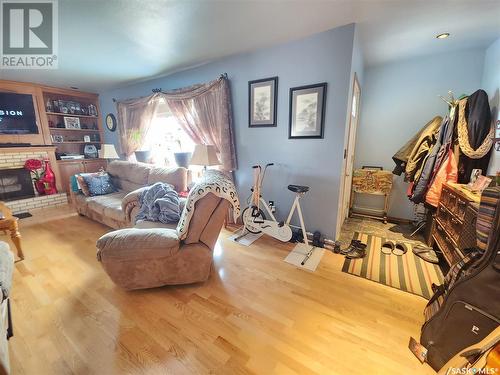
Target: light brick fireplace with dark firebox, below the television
{"x":16,"y":185}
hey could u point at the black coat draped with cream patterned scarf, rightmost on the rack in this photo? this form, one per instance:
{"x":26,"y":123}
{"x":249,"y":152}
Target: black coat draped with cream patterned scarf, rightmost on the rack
{"x":475,"y":119}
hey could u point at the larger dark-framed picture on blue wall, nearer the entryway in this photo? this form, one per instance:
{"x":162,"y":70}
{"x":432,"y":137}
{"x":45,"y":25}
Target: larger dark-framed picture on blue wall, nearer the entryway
{"x":307,"y":111}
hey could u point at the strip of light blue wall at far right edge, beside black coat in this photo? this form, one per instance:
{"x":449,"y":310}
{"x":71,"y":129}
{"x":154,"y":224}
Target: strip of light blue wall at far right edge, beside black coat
{"x":491,"y":84}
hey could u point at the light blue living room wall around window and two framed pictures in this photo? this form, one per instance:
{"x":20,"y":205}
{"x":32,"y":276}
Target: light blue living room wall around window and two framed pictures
{"x":324,"y":57}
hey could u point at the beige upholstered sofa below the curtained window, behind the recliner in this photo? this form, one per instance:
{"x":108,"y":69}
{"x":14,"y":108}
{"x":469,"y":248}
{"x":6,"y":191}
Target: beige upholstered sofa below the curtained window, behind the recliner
{"x":118,"y":210}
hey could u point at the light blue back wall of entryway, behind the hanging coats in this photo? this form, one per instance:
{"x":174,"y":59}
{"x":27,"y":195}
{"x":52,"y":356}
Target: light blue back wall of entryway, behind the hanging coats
{"x":399,"y":98}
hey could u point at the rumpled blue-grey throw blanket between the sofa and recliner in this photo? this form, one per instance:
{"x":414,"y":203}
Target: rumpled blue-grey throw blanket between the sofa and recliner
{"x":159,"y":202}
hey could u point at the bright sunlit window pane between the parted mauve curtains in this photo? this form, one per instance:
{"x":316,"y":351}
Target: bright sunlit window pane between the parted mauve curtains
{"x":166,"y":136}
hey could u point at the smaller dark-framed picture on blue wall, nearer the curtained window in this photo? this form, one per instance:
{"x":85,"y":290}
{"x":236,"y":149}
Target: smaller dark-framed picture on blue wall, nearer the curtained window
{"x":262,"y":102}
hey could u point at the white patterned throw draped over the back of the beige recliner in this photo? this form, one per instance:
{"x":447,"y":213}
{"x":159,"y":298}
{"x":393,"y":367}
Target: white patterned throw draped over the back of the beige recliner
{"x":215,"y":182}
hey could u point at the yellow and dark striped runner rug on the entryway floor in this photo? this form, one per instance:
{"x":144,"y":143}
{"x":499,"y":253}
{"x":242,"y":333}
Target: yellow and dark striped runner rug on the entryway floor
{"x":408,"y":272}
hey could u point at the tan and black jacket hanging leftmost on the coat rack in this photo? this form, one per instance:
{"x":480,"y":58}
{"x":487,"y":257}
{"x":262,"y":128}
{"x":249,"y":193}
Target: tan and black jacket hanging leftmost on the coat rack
{"x":421,"y":150}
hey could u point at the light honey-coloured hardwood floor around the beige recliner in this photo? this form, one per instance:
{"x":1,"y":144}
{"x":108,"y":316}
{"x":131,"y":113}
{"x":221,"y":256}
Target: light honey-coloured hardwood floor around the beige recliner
{"x":256,"y":314}
